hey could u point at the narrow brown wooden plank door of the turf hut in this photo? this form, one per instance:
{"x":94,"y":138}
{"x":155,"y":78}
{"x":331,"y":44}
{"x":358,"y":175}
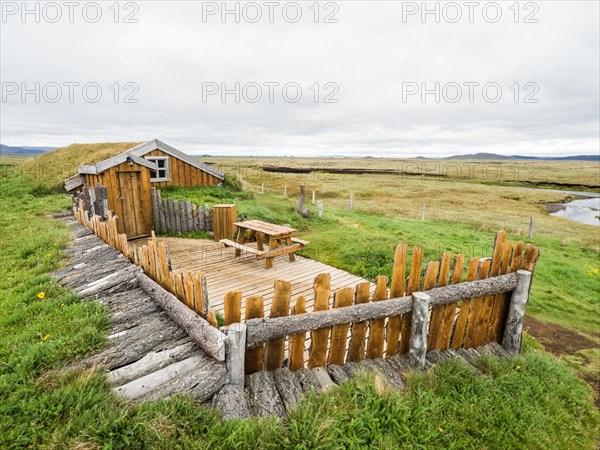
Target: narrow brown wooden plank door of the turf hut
{"x":130,"y":196}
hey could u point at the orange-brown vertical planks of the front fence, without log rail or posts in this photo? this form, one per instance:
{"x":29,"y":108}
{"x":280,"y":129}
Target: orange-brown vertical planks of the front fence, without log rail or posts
{"x":466,"y":324}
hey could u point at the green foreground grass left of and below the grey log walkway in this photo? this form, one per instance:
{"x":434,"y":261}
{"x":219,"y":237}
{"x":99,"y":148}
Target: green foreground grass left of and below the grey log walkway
{"x":532,"y":401}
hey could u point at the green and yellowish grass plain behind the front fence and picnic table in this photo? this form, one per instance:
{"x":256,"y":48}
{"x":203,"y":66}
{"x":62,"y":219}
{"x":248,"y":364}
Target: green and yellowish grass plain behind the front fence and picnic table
{"x":461,"y":217}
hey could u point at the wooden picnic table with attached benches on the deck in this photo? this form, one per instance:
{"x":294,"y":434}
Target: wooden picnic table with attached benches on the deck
{"x":279,"y":240}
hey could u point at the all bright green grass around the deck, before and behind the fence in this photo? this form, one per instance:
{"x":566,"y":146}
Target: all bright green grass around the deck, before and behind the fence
{"x":532,"y":401}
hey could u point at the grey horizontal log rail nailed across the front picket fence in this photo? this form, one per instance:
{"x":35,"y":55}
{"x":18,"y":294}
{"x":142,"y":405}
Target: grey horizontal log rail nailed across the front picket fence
{"x":265,"y":329}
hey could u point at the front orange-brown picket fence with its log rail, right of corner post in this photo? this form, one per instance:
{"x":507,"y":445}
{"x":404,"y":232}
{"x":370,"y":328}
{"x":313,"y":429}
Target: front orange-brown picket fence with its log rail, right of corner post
{"x":463,"y":322}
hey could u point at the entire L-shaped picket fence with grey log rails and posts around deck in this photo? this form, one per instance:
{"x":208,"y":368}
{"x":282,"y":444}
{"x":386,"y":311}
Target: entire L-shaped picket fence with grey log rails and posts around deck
{"x":433,"y":310}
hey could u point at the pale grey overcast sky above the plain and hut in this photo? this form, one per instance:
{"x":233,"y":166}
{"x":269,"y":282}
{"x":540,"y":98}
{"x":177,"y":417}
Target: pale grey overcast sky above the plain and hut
{"x":541,"y":77}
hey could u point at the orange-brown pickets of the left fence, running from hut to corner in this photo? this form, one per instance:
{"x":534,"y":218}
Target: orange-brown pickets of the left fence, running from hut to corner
{"x":153,"y":258}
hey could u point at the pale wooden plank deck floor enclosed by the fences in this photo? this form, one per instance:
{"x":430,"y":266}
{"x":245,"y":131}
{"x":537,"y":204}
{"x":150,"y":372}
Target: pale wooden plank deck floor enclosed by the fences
{"x":224,"y":272}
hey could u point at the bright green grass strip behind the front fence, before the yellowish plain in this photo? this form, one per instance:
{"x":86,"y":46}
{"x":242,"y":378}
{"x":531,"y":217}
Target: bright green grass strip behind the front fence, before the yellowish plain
{"x":566,"y":288}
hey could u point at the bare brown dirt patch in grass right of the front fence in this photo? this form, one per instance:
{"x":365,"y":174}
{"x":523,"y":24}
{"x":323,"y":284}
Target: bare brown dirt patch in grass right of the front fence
{"x":561,"y":341}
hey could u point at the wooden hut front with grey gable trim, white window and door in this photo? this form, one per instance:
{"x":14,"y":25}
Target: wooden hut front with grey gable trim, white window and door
{"x":129,"y":177}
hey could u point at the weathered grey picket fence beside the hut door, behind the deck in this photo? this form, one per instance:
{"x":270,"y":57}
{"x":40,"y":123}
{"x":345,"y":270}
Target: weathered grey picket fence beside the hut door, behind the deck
{"x":179,"y":216}
